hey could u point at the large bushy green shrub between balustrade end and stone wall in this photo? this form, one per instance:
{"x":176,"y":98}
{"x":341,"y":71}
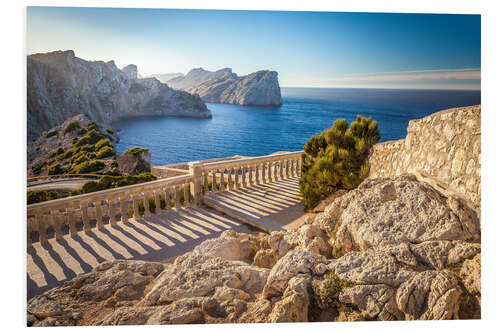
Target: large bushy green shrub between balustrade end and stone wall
{"x":336,"y":159}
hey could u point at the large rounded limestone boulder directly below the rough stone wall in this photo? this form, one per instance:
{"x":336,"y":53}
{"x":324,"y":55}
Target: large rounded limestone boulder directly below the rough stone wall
{"x":391,"y":211}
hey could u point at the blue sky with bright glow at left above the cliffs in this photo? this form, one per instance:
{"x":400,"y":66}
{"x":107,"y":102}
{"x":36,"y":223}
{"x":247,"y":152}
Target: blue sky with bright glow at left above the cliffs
{"x":307,"y":49}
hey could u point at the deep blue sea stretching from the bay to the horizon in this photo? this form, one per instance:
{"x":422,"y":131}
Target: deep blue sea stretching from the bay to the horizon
{"x":255,"y":131}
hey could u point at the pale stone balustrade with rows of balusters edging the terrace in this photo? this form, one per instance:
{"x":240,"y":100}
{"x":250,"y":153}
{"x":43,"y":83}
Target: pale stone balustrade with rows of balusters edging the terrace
{"x":93,"y":210}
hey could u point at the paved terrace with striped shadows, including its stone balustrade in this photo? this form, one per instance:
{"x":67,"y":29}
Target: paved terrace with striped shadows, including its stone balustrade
{"x":254,"y":194}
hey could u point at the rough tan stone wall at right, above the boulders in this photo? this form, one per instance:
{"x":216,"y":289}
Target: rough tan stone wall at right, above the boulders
{"x":443,"y":148}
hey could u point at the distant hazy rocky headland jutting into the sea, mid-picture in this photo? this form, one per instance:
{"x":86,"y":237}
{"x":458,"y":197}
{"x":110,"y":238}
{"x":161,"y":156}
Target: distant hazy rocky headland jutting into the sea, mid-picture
{"x":224,"y":86}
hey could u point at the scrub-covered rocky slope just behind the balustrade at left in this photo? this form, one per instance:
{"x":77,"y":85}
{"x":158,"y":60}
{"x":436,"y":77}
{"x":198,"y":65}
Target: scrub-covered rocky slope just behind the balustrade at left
{"x":89,"y":149}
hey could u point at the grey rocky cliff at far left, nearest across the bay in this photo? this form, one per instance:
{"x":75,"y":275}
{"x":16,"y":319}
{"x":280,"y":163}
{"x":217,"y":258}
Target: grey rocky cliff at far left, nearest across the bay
{"x":60,"y":86}
